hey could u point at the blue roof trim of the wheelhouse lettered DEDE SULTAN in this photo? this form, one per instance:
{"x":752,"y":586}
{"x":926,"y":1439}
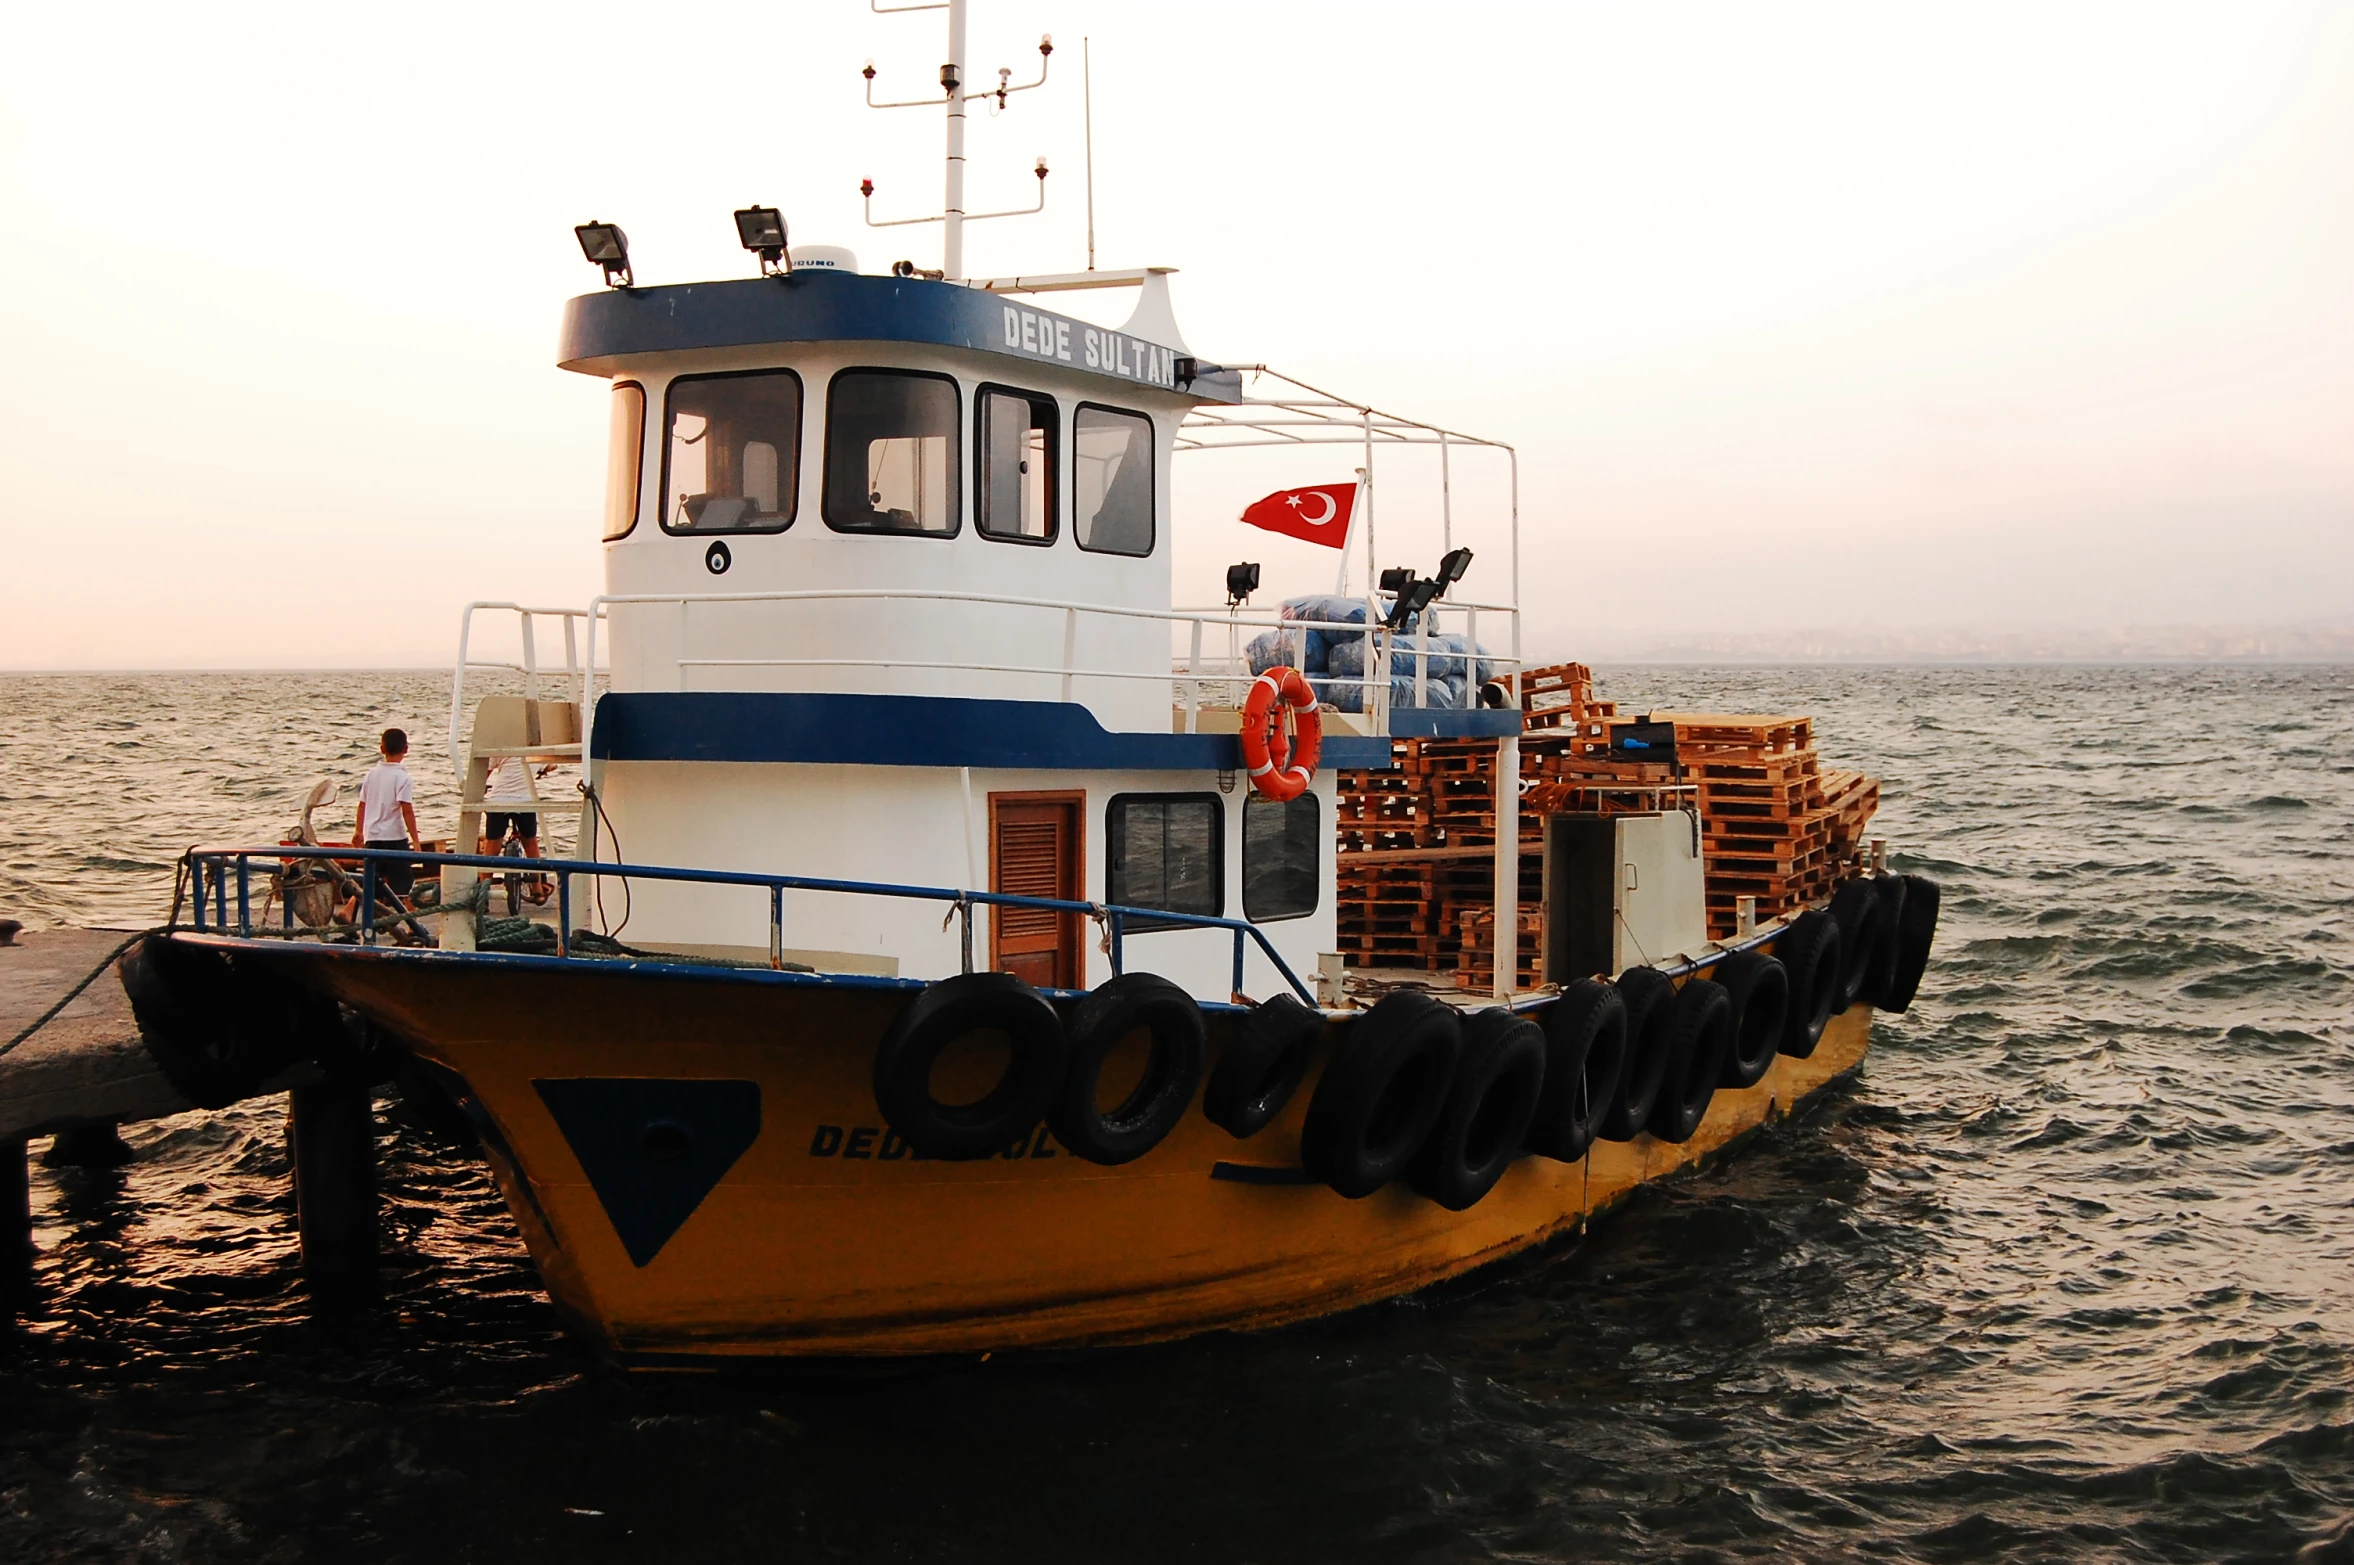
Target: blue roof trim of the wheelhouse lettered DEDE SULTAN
{"x":849,"y":307}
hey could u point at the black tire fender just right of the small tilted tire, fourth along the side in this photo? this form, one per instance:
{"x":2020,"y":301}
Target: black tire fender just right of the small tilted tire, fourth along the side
{"x":1381,"y":1093}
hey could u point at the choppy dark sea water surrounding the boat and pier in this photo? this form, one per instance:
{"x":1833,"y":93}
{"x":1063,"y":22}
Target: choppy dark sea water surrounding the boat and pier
{"x":2068,"y":1274}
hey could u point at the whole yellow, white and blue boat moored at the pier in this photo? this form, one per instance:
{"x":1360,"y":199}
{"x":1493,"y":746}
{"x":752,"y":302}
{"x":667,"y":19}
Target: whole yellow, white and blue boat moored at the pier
{"x":966,"y":947}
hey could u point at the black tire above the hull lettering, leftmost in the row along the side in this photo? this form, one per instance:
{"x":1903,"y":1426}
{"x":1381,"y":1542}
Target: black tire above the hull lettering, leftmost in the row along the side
{"x":940,"y":1015}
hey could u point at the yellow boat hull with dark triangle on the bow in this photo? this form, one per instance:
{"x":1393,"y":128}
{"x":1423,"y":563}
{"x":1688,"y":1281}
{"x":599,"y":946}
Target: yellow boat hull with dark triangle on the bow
{"x":825,"y":1239}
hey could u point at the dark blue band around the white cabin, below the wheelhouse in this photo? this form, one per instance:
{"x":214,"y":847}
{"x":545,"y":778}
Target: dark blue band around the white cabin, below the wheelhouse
{"x":879,"y":731}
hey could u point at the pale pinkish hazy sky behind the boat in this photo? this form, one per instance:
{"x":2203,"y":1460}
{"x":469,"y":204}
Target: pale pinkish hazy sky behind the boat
{"x":1896,"y":319}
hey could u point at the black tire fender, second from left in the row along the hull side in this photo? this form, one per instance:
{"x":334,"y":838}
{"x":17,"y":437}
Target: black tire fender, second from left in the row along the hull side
{"x":1141,"y":1121}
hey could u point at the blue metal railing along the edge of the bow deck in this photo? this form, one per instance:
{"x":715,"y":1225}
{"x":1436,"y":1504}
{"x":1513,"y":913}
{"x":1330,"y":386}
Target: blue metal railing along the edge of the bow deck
{"x":222,"y":874}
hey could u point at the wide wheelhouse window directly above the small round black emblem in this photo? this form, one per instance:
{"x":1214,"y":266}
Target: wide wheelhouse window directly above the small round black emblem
{"x":733,"y":458}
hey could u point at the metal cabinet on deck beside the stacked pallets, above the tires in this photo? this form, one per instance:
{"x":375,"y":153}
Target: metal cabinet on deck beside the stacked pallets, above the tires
{"x":1621,"y":891}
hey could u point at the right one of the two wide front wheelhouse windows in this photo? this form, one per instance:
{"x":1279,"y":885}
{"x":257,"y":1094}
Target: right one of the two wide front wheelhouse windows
{"x":893,"y":455}
